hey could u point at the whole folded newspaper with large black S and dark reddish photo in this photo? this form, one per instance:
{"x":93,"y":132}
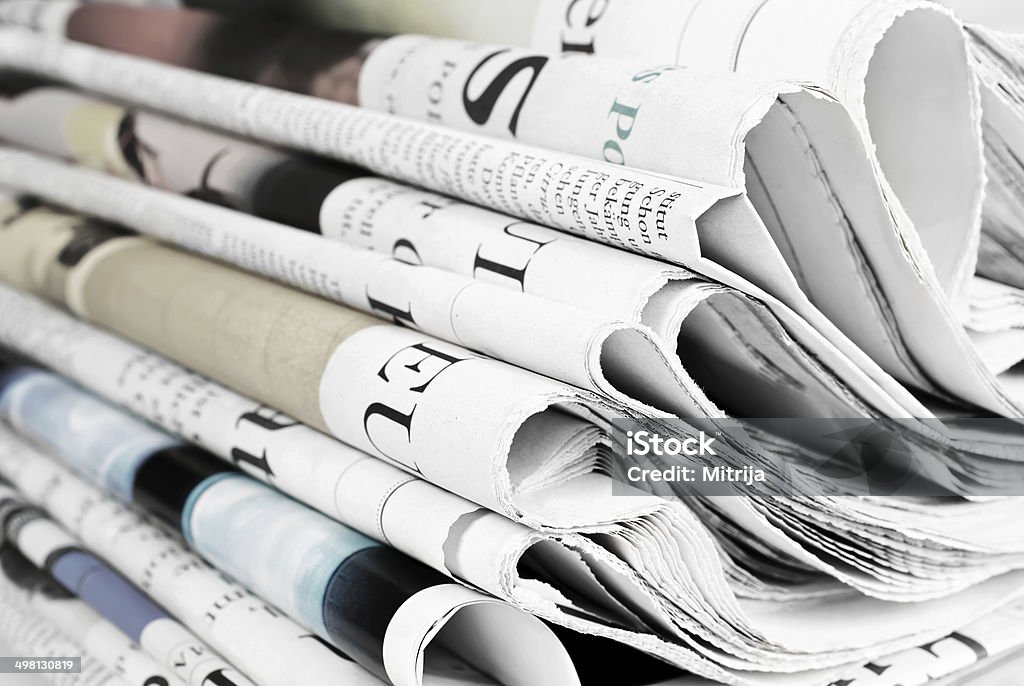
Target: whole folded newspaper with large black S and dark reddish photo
{"x":697,"y":124}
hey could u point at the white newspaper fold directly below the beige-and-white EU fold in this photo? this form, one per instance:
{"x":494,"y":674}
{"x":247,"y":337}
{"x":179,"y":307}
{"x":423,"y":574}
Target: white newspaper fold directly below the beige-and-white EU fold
{"x":460,"y":539}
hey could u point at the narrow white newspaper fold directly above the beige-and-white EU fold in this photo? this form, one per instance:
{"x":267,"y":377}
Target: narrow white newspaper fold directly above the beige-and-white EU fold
{"x":625,"y":362}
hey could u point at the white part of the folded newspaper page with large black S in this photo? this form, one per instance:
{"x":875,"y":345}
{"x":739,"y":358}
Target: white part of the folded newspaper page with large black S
{"x":794,"y":142}
